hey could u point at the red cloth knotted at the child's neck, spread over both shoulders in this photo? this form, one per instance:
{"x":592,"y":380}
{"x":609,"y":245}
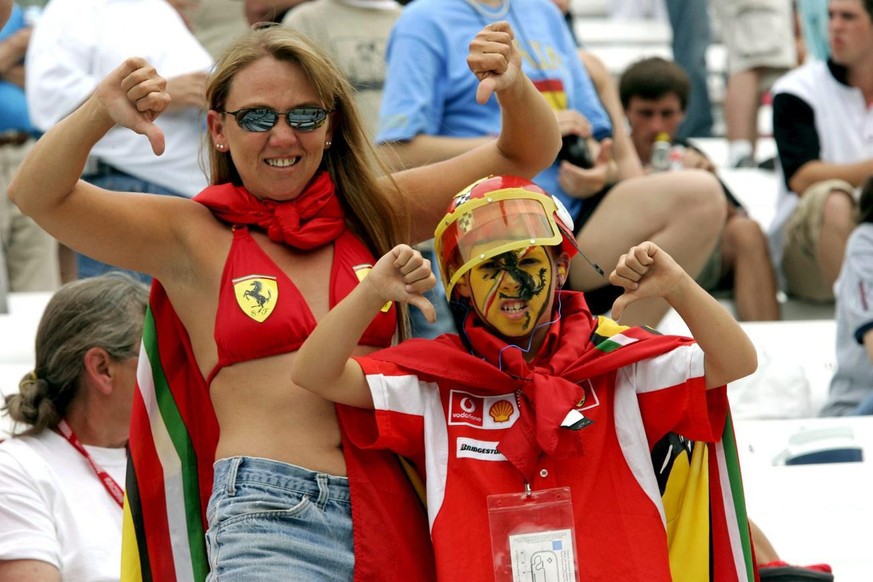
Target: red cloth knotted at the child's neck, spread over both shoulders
{"x":547,"y":388}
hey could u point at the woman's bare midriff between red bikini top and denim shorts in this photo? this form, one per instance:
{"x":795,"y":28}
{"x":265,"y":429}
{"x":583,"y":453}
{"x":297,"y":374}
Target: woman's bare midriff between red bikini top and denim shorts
{"x":263,"y":414}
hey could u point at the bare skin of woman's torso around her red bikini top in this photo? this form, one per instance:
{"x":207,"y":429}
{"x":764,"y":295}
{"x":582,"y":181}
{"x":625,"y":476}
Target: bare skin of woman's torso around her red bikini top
{"x":260,"y":412}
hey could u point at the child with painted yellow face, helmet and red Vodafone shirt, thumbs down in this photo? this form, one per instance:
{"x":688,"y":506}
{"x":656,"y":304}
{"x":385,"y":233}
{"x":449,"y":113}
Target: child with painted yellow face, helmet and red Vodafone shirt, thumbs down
{"x":536,"y":404}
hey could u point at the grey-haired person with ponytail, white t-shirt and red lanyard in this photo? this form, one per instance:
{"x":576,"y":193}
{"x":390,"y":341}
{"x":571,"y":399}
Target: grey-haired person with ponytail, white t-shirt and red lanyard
{"x":61,"y":475}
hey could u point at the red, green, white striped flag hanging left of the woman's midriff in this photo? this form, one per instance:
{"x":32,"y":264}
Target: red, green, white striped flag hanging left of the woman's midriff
{"x":172,"y":449}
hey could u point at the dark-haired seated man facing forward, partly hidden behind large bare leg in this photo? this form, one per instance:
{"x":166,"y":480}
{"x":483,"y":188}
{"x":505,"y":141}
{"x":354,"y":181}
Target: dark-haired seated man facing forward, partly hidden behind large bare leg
{"x":654,"y":95}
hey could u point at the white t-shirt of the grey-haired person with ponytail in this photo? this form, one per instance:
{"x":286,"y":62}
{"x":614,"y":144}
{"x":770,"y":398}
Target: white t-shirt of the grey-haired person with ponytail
{"x":53,"y":507}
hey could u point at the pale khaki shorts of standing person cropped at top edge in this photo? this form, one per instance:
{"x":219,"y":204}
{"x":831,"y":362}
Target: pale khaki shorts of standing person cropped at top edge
{"x":757,"y":33}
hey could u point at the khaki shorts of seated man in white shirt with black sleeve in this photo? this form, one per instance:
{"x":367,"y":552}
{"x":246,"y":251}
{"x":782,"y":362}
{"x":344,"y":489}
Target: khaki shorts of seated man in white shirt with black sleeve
{"x":803,"y":276}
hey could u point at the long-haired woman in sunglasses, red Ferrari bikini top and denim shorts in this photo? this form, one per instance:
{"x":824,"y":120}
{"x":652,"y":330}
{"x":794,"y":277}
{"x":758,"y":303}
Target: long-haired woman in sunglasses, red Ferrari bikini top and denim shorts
{"x":289,"y":158}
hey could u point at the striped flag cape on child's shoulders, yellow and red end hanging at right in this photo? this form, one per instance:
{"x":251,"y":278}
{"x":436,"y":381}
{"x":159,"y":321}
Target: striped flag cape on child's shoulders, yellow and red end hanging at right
{"x":704,"y":506}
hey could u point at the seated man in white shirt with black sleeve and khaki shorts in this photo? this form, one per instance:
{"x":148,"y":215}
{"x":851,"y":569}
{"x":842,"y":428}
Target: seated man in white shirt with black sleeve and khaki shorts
{"x":820,"y":119}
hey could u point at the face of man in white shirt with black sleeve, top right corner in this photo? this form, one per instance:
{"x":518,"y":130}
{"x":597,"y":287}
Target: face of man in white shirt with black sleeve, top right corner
{"x":850,"y":31}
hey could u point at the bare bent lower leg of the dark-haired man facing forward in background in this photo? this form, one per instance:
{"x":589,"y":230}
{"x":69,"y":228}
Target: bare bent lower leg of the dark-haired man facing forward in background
{"x":744,"y":250}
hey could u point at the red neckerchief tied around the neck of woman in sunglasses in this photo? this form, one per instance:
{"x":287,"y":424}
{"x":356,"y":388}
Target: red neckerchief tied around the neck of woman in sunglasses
{"x":310,"y":221}
